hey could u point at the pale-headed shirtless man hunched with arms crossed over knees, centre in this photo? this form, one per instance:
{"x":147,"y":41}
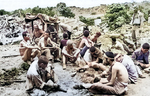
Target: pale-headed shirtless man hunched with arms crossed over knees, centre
{"x":70,"y":53}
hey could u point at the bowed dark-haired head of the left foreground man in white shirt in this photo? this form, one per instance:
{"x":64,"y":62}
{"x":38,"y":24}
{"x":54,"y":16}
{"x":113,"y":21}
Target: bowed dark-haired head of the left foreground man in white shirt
{"x":42,"y":62}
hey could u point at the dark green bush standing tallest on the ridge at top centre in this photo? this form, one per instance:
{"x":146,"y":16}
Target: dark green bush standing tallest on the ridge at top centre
{"x":64,"y":11}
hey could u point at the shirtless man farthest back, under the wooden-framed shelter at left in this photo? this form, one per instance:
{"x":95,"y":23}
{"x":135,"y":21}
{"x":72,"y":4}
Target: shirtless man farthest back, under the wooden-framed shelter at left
{"x":37,"y":34}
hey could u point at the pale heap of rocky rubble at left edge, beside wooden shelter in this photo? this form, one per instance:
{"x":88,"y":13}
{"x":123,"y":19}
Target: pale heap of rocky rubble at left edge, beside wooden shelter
{"x":11,"y":28}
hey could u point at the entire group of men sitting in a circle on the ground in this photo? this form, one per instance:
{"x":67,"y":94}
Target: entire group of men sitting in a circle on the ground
{"x":123,"y":69}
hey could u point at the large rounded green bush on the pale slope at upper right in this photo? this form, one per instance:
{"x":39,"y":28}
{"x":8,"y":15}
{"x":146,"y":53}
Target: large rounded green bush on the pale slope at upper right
{"x":116,"y":16}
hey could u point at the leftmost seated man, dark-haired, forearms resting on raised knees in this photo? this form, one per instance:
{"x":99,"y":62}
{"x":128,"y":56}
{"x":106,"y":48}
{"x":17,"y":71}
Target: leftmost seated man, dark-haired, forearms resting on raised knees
{"x":26,"y":50}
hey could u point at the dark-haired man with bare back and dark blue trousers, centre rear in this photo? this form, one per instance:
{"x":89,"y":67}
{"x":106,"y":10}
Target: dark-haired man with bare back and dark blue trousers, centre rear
{"x":85,"y":43}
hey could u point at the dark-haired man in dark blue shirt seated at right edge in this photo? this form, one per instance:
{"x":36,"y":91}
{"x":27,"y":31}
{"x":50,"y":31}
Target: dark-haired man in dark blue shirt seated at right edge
{"x":140,"y":58}
